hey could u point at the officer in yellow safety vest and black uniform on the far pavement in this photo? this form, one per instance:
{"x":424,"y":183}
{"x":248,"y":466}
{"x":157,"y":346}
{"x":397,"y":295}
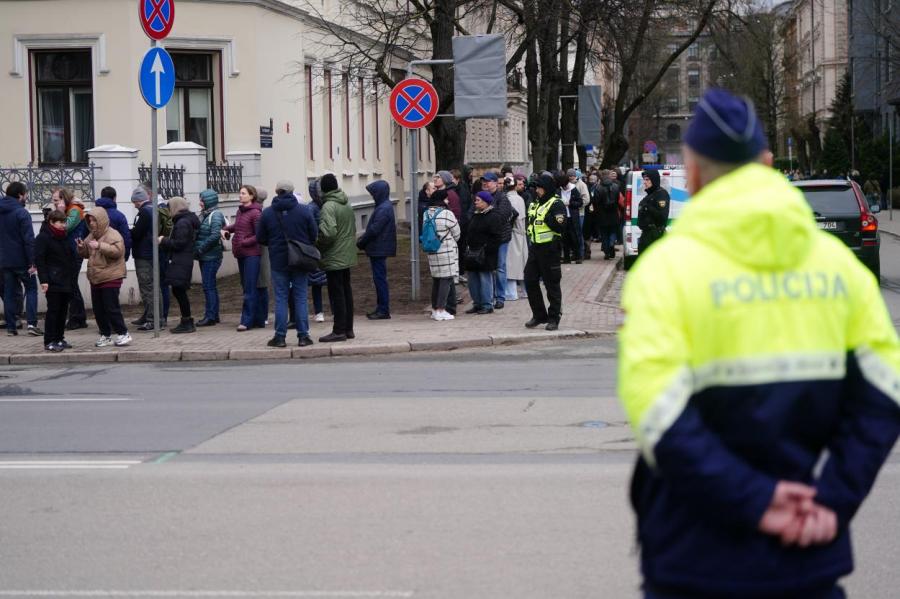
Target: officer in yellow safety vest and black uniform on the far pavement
{"x":544,"y":227}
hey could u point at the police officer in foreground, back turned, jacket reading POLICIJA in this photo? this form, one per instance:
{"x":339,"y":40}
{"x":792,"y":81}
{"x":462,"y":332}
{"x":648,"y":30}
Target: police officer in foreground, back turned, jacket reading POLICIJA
{"x":760,"y":371}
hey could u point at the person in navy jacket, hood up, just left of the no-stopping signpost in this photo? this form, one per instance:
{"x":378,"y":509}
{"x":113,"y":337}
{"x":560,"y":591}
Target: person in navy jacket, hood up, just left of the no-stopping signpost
{"x":379,"y":241}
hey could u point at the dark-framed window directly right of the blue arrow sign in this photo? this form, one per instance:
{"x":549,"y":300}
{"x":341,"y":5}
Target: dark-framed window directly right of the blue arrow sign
{"x":191,"y":114}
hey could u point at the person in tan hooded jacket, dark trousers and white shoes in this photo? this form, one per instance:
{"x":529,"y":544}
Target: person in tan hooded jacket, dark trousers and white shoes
{"x":104,"y":250}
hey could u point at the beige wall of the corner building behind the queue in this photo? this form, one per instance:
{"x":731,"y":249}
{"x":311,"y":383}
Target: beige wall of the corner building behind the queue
{"x":259,"y":50}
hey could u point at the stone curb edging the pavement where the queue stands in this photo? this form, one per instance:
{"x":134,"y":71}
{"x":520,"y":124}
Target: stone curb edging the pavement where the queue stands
{"x":298,"y":353}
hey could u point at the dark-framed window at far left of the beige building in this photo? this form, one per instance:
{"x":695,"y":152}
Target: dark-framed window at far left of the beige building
{"x":64,"y":115}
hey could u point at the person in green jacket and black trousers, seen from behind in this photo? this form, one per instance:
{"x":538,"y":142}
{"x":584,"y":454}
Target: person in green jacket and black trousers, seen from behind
{"x":337,"y":242}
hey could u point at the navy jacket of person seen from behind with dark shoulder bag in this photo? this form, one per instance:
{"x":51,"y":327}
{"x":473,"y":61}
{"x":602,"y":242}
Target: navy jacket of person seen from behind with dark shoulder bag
{"x":296,"y":221}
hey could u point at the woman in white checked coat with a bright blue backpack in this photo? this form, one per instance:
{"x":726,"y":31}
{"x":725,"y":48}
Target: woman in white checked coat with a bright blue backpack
{"x":444,"y":263}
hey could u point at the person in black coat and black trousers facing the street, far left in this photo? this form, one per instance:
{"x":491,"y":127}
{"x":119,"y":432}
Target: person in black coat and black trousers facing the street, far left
{"x":54,"y":258}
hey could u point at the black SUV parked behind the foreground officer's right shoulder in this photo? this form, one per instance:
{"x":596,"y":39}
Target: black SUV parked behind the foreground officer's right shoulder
{"x":841,"y":209}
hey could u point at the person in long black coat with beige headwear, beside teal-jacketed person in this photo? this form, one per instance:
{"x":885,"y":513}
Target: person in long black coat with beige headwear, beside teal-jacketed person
{"x":179,"y":248}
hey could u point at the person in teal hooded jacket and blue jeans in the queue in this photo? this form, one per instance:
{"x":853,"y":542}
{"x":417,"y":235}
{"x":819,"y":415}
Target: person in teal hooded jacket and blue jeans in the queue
{"x":209,"y":250}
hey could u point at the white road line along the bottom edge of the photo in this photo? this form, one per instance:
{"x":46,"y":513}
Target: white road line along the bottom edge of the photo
{"x":186,"y":593}
